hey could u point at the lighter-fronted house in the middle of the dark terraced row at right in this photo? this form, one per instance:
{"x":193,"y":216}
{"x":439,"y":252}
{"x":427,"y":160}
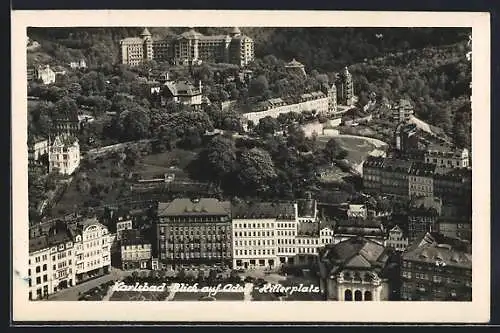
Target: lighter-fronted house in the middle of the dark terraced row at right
{"x":421,"y":180}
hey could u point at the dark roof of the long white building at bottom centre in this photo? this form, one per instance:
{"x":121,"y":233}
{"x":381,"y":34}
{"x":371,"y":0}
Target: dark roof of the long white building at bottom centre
{"x":263,"y":210}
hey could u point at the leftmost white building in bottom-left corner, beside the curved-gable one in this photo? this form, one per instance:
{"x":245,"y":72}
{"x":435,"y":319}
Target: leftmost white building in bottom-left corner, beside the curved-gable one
{"x":51,"y":264}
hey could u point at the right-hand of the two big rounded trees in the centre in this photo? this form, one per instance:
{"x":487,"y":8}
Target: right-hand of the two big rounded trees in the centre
{"x":257,"y":170}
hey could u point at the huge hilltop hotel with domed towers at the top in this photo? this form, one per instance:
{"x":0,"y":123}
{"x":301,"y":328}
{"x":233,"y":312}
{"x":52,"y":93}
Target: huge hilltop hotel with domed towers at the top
{"x":189,"y":48}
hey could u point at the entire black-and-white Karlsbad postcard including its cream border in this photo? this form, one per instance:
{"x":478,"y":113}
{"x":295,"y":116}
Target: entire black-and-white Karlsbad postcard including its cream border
{"x":251,"y":165}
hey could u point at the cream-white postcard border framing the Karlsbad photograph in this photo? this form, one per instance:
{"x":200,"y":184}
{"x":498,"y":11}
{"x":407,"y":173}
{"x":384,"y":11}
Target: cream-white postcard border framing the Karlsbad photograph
{"x":476,"y":311}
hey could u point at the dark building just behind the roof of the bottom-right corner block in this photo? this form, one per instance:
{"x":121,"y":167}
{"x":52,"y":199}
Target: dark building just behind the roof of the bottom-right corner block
{"x":423,"y":214}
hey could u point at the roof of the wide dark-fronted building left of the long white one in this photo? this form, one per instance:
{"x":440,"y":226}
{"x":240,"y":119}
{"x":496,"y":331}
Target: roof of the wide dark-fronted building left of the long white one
{"x":184,"y":206}
